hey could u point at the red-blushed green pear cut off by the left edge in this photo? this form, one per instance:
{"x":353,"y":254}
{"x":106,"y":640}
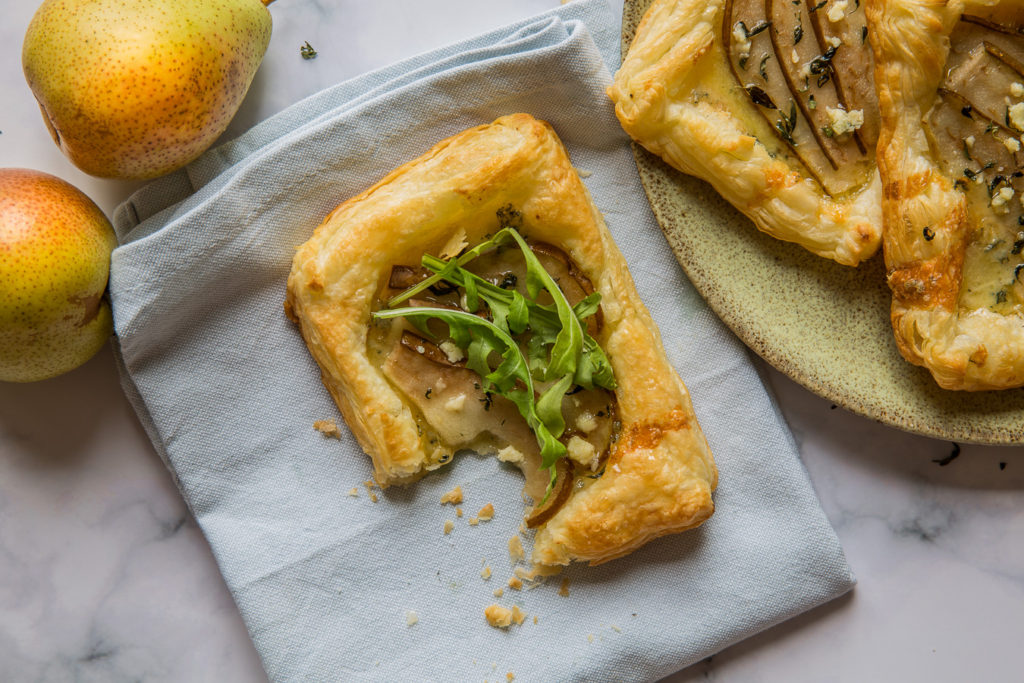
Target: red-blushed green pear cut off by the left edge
{"x":55,"y":261}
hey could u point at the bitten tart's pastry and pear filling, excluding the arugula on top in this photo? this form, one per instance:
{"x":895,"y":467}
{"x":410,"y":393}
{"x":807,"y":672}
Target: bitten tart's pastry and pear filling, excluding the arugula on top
{"x":638,"y":466}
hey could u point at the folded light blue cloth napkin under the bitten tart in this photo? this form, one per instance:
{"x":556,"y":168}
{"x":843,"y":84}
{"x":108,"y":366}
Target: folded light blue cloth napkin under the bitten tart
{"x":327,"y":582}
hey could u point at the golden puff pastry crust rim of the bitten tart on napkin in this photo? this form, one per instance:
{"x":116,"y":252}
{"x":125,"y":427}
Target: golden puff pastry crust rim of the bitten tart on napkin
{"x":660,"y":475}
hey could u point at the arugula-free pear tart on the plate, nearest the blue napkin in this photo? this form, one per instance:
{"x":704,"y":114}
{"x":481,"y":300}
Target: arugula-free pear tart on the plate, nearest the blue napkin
{"x":771,"y":102}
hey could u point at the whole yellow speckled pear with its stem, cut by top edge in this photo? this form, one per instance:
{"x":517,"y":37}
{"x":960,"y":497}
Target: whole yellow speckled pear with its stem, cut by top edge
{"x":135,"y":90}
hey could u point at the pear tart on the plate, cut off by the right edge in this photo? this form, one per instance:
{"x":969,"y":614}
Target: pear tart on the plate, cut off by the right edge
{"x":951,"y":80}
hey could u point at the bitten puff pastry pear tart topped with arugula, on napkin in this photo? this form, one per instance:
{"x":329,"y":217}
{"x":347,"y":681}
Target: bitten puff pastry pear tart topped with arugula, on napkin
{"x":475,"y":300}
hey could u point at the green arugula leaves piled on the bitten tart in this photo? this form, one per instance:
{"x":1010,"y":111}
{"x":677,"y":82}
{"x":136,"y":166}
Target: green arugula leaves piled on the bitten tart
{"x":560,"y":351}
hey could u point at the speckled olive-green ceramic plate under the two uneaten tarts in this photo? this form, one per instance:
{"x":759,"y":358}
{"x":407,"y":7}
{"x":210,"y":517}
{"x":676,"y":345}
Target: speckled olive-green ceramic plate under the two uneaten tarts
{"x":825,"y":325}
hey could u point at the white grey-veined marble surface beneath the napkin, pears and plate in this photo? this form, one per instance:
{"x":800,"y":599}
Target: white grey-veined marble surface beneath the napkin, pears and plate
{"x":105,"y":577}
